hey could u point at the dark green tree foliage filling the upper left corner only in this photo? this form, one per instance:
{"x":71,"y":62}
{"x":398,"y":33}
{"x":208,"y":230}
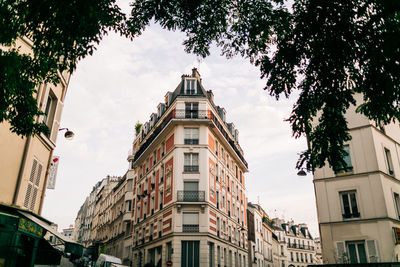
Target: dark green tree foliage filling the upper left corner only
{"x":62,"y":33}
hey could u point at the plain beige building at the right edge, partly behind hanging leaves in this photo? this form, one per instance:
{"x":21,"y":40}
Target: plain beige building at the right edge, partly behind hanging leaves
{"x":358,"y":205}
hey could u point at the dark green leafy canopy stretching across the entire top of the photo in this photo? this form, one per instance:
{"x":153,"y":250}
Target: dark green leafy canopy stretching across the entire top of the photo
{"x":326,"y":50}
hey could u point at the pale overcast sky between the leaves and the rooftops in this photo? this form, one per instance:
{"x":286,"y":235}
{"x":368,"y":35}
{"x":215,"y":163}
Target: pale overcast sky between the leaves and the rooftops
{"x":123,"y":82}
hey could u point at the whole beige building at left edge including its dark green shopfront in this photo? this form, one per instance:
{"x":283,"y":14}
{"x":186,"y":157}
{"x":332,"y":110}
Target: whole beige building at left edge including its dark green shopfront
{"x":24,"y":169}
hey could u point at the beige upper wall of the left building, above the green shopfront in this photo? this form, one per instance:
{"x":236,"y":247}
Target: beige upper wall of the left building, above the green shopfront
{"x":25,"y":162}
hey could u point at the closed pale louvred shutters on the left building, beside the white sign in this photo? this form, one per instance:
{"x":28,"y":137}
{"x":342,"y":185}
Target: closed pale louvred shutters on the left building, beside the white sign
{"x":33,"y":185}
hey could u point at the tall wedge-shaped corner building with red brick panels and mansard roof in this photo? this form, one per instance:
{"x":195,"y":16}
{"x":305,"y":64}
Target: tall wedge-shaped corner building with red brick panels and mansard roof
{"x":189,"y":204}
